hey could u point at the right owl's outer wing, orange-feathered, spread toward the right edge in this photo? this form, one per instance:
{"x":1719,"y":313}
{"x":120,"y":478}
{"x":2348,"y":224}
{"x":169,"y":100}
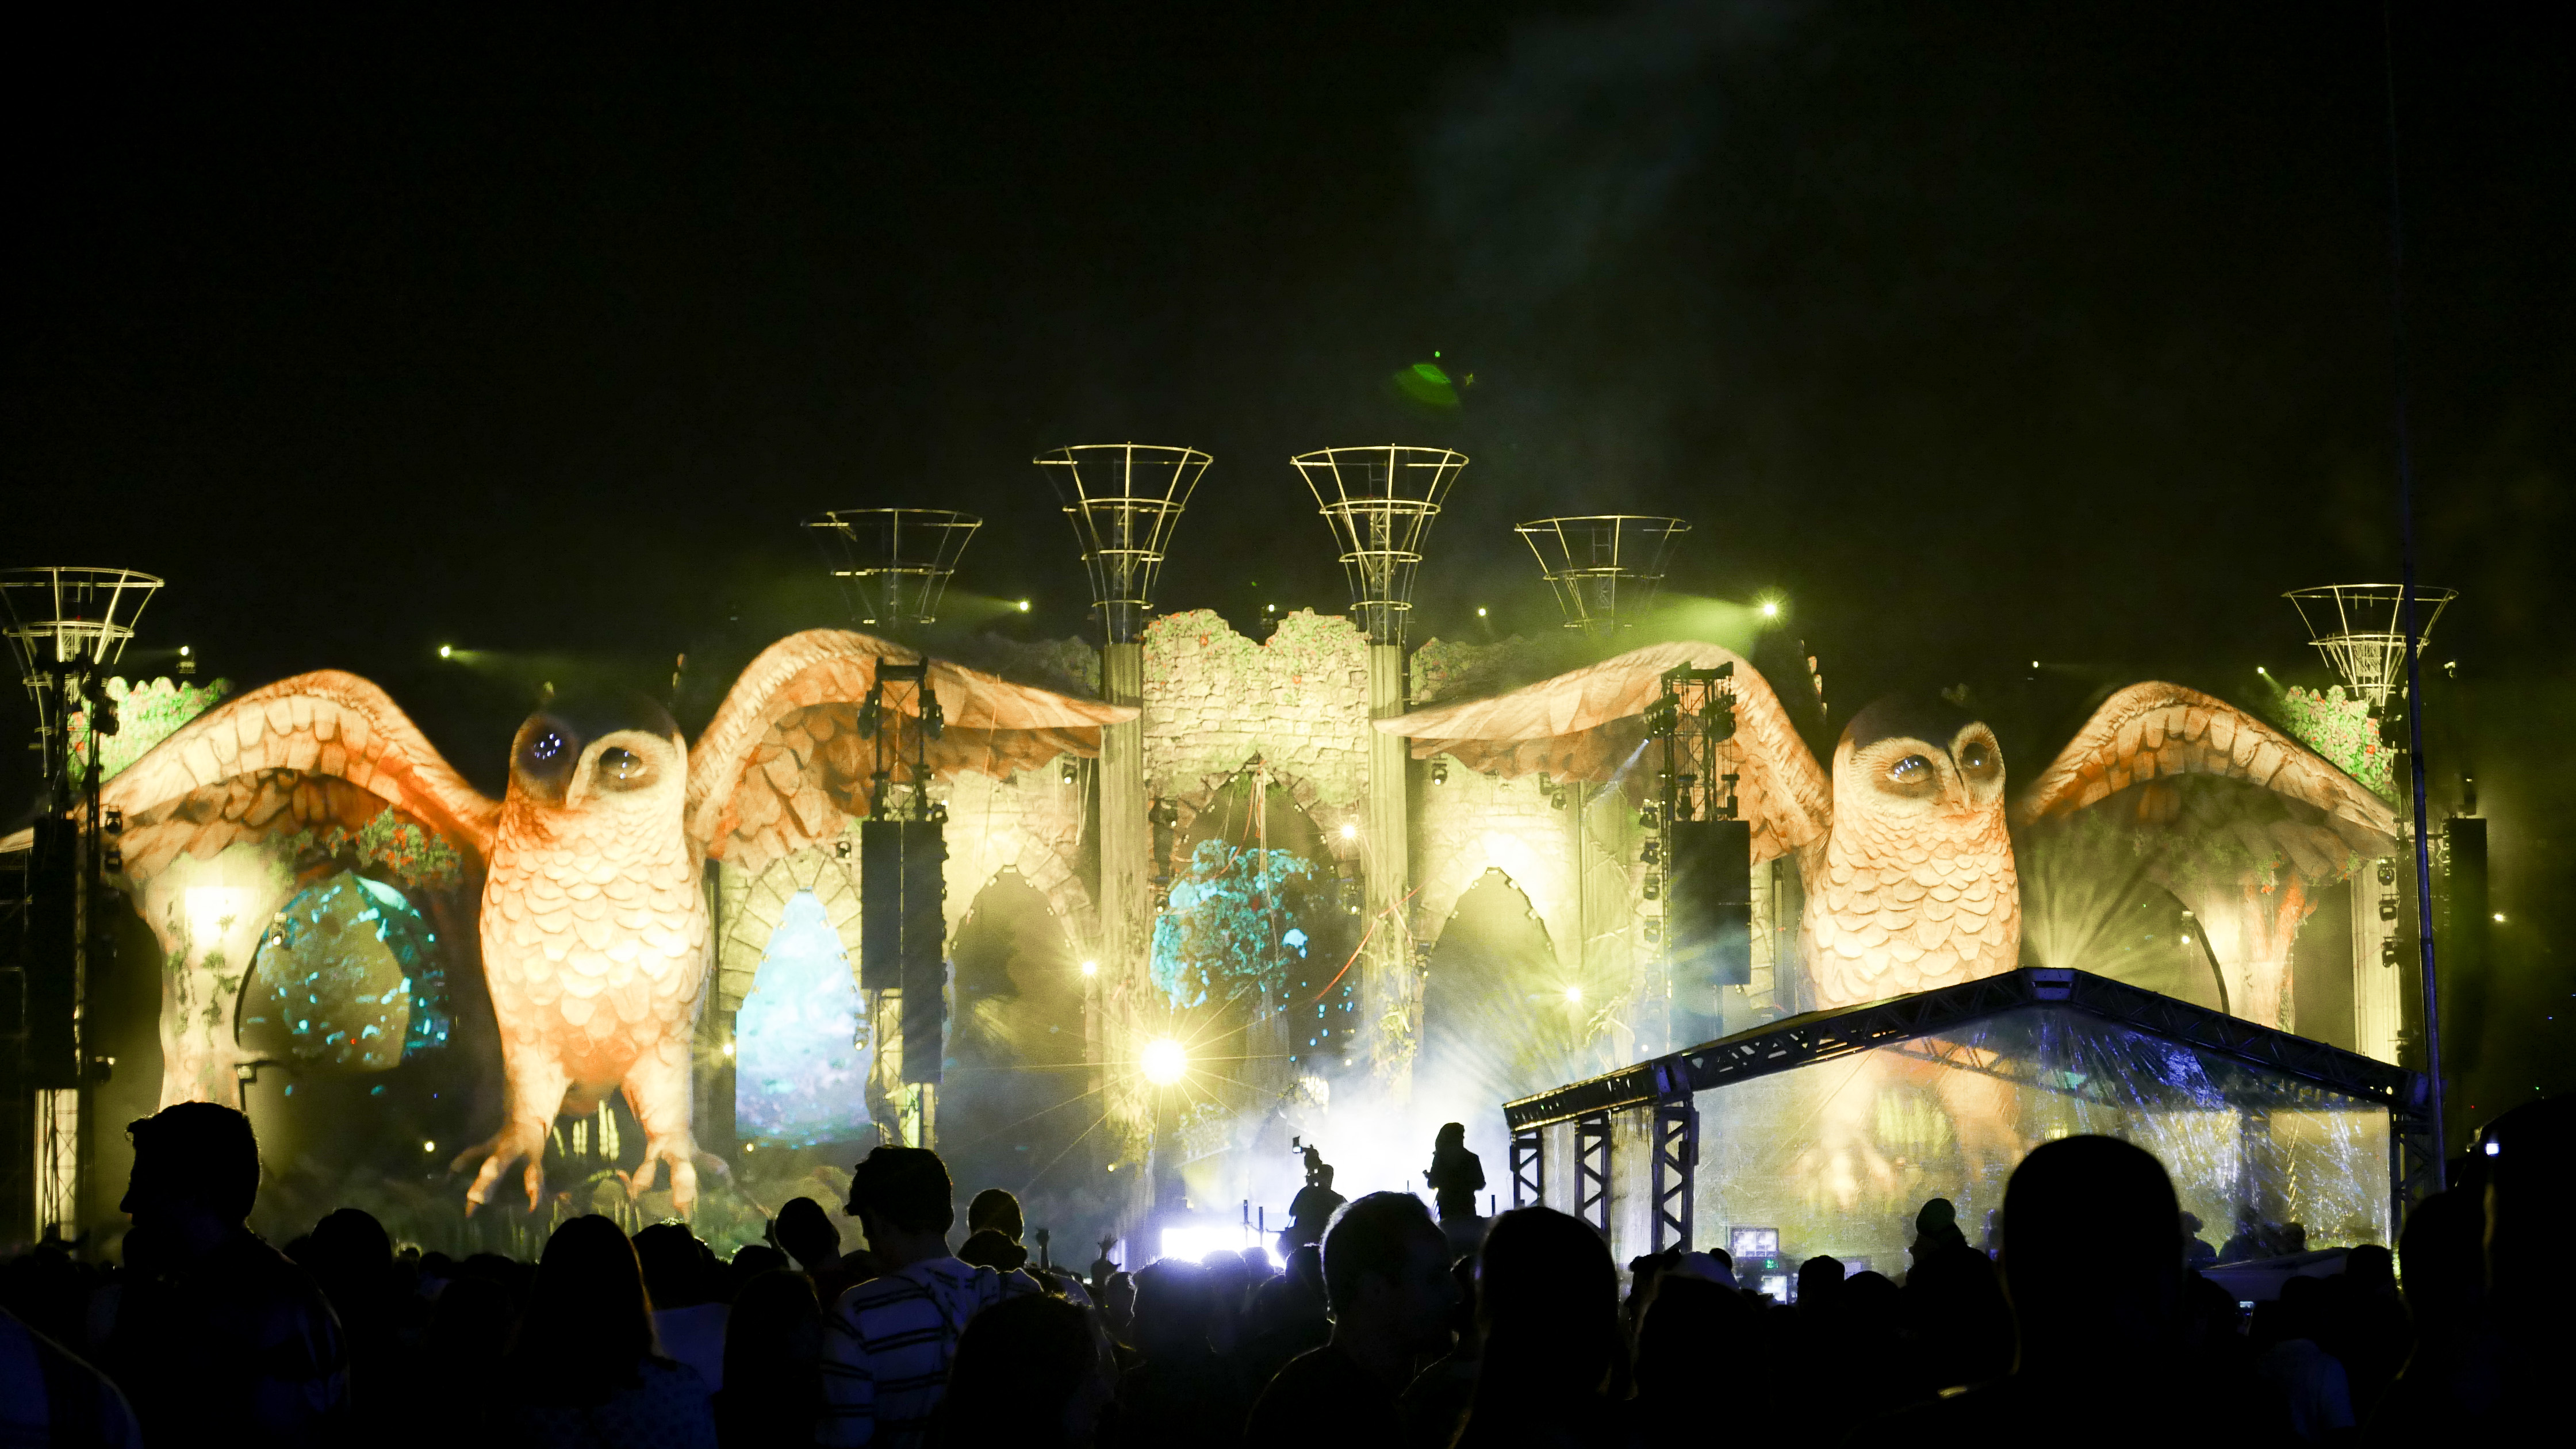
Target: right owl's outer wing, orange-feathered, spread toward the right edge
{"x":2155,"y":731}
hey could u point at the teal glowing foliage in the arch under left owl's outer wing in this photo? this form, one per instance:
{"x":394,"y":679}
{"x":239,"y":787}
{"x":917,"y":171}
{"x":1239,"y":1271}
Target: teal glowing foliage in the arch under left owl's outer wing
{"x":346,"y":978}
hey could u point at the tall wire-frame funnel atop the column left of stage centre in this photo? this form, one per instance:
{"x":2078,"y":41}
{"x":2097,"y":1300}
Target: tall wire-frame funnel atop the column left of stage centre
{"x":1124,"y":501}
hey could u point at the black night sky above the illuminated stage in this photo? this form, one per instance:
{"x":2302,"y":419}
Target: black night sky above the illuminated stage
{"x":1985,"y":334}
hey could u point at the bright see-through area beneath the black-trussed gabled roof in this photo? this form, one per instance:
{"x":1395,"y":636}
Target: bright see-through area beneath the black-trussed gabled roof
{"x":1841,"y":1154}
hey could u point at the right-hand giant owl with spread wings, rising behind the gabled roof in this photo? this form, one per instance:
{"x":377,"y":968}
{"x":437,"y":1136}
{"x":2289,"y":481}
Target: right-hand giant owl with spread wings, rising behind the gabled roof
{"x":1908,"y":850}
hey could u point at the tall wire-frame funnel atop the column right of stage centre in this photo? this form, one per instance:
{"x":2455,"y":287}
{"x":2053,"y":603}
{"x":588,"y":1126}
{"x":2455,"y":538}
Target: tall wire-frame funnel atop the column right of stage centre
{"x":1382,"y":504}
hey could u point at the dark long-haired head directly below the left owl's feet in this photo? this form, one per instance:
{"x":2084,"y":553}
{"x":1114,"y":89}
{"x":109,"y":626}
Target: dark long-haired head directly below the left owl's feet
{"x":589,"y":1324}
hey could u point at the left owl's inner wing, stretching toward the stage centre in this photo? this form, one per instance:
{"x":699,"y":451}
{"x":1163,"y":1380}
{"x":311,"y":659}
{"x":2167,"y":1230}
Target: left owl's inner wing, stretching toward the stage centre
{"x":784,"y":764}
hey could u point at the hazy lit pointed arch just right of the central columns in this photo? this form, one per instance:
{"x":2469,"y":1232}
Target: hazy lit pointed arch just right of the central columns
{"x":1498,"y":1017}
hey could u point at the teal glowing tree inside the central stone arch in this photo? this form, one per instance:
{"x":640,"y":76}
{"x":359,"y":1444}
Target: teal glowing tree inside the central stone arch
{"x":1227,"y":929}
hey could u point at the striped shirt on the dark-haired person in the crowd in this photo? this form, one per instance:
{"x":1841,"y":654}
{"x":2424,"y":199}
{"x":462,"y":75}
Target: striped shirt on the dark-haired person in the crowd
{"x":887,"y":1347}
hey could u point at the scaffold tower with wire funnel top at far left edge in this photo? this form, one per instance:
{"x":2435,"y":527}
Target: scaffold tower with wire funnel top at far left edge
{"x":66,"y":625}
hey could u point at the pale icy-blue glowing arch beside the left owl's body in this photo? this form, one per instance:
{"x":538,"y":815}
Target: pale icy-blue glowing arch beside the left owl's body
{"x":800,"y":1076}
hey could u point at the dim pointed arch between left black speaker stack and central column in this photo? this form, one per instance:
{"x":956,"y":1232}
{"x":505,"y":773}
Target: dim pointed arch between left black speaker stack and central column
{"x":1016,"y":1094}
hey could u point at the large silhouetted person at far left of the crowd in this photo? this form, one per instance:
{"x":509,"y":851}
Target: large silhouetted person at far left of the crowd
{"x":218,"y":1337}
